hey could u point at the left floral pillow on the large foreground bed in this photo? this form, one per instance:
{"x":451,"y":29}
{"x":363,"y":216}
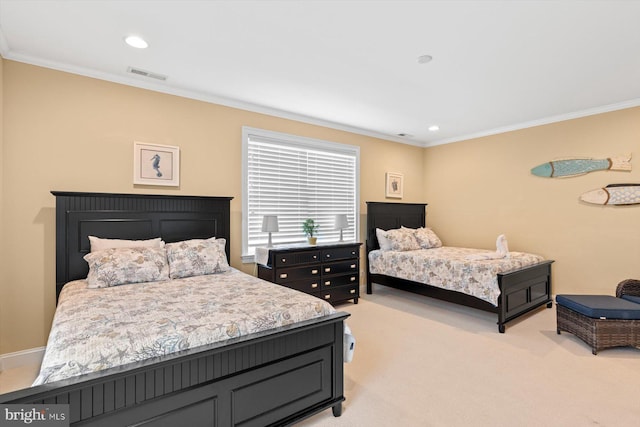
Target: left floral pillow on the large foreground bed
{"x":120,"y":266}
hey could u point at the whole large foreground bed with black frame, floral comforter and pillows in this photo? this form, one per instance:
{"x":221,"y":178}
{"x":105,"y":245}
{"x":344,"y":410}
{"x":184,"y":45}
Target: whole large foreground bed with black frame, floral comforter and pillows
{"x":191,"y":349}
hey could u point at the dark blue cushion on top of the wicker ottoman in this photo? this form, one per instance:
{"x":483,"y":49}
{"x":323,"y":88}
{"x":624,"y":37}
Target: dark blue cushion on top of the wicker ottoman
{"x":600,"y":306}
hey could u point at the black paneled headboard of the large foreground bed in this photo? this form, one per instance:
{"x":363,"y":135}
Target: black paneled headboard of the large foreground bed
{"x":130,"y":216}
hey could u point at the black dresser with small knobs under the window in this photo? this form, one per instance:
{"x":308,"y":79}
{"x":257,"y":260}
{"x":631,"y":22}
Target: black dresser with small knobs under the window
{"x":330,"y":272}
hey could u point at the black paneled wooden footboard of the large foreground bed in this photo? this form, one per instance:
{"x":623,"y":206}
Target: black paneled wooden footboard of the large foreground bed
{"x":273,"y":378}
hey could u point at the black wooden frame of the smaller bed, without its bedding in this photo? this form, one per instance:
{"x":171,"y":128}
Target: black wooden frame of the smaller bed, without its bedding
{"x":521,"y":291}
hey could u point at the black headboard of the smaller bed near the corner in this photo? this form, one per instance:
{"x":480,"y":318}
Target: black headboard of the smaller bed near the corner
{"x":387,"y":216}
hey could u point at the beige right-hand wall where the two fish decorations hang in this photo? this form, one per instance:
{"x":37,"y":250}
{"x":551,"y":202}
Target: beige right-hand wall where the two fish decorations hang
{"x":480,"y":188}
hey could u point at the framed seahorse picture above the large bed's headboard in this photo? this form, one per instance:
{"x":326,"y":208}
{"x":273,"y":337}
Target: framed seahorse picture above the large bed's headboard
{"x":155,"y":164}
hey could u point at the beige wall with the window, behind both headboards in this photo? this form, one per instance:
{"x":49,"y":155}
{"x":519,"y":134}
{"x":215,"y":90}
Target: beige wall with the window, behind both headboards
{"x":72,"y":133}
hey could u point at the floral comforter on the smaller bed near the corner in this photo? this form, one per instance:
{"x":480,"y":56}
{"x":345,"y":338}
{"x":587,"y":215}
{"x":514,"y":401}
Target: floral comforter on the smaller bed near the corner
{"x":451,"y":268}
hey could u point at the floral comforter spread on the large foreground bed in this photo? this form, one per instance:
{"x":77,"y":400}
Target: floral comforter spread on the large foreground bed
{"x":95,"y":329}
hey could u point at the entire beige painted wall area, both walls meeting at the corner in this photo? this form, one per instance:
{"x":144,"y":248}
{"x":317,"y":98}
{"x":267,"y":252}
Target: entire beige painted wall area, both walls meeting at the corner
{"x":72,"y":133}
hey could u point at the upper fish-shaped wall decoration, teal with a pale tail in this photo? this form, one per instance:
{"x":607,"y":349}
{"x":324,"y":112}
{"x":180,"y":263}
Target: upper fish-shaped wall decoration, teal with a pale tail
{"x":574,"y":167}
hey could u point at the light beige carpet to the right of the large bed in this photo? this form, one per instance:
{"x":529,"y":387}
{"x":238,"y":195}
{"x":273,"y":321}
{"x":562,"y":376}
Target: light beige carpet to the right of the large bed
{"x":422,"y":362}
